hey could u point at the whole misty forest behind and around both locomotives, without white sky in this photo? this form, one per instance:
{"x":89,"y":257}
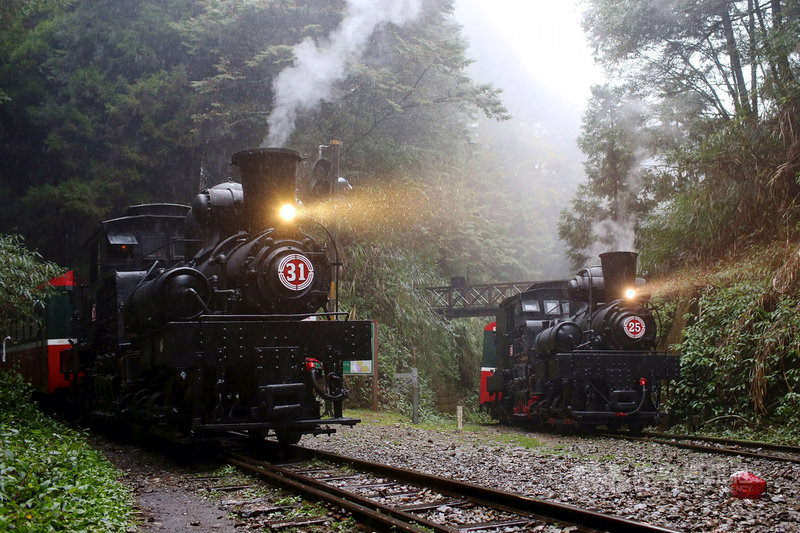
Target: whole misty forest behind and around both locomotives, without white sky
{"x":689,"y":155}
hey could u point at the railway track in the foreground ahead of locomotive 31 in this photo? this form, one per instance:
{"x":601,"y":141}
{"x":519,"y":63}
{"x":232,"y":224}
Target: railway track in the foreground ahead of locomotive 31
{"x":387,"y":498}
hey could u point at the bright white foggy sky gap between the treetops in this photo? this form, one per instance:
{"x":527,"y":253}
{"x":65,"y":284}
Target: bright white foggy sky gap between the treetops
{"x":537,"y":53}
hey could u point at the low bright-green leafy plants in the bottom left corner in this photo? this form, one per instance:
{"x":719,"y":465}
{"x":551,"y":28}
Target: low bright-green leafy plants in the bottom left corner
{"x":50,"y":479}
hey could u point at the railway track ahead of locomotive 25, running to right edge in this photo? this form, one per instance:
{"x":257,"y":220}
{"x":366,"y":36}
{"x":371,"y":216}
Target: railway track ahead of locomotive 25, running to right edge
{"x":757,"y":450}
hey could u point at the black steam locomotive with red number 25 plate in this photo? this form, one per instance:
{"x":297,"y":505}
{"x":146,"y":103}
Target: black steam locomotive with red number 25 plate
{"x":579,"y":352}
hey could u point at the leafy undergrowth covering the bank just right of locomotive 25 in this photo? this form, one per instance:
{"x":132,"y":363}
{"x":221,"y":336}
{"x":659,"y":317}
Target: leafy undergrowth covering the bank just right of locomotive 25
{"x":740,"y":360}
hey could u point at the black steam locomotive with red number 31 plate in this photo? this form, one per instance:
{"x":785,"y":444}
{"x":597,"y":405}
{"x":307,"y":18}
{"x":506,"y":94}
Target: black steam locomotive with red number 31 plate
{"x":202,"y":322}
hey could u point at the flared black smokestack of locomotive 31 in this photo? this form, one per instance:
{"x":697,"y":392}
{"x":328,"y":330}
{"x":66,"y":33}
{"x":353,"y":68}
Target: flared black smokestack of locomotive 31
{"x":269,"y":180}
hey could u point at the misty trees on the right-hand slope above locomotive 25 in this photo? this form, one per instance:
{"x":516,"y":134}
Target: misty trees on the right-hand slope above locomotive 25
{"x":697,"y":139}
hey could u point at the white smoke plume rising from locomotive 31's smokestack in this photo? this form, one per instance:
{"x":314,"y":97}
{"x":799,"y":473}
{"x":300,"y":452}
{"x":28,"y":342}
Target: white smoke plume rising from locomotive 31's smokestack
{"x":308,"y":83}
